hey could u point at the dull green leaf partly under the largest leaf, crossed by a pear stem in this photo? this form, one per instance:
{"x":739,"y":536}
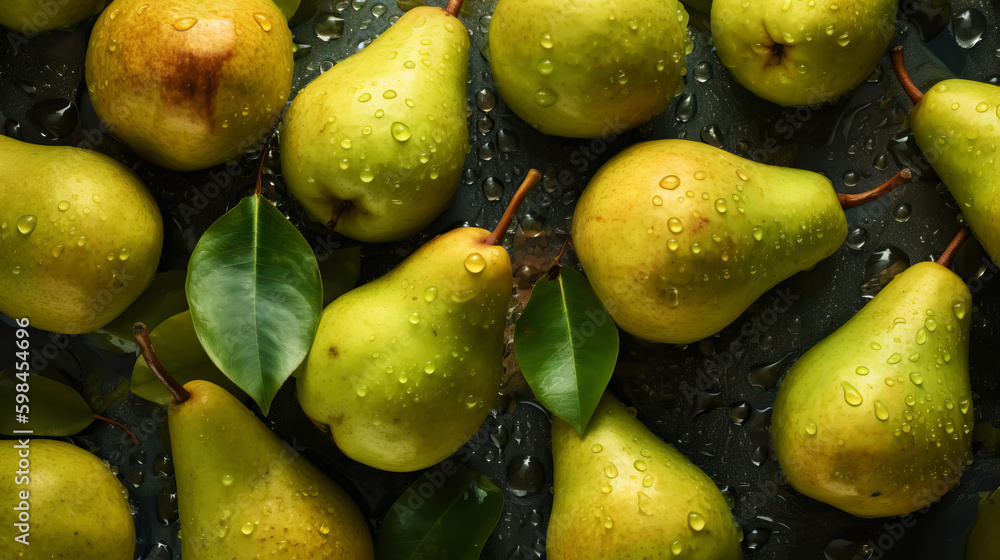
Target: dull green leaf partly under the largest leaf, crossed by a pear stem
{"x":182,"y":356}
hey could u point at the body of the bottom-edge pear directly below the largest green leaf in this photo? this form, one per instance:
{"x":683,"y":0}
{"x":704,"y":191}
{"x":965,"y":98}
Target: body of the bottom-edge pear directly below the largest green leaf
{"x":244,"y":493}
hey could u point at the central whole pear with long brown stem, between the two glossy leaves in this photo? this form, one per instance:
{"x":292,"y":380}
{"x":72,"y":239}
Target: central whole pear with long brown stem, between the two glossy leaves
{"x":404,"y":369}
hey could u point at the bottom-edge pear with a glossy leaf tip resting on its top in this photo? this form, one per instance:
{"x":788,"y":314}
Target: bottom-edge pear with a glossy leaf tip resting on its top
{"x":621,"y":492}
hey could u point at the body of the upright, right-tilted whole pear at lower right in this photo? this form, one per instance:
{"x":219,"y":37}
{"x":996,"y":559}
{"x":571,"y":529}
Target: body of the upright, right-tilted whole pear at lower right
{"x":876,"y":418}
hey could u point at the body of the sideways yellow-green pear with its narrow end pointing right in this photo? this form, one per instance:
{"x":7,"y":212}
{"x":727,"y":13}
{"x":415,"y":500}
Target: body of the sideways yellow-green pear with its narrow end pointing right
{"x":678,"y":238}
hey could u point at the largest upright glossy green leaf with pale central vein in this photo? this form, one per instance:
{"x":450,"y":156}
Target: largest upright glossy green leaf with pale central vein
{"x":255,"y":293}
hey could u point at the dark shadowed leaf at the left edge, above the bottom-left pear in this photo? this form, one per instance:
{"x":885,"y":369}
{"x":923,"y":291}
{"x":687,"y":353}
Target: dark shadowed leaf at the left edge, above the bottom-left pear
{"x":54,"y":409}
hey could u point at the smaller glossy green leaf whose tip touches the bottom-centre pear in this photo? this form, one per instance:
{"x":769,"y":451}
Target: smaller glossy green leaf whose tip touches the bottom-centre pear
{"x":567,"y":346}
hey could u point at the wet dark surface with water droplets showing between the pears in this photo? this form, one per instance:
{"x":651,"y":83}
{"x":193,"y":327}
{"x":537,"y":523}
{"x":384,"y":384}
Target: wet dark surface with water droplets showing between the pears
{"x":711,"y":399}
